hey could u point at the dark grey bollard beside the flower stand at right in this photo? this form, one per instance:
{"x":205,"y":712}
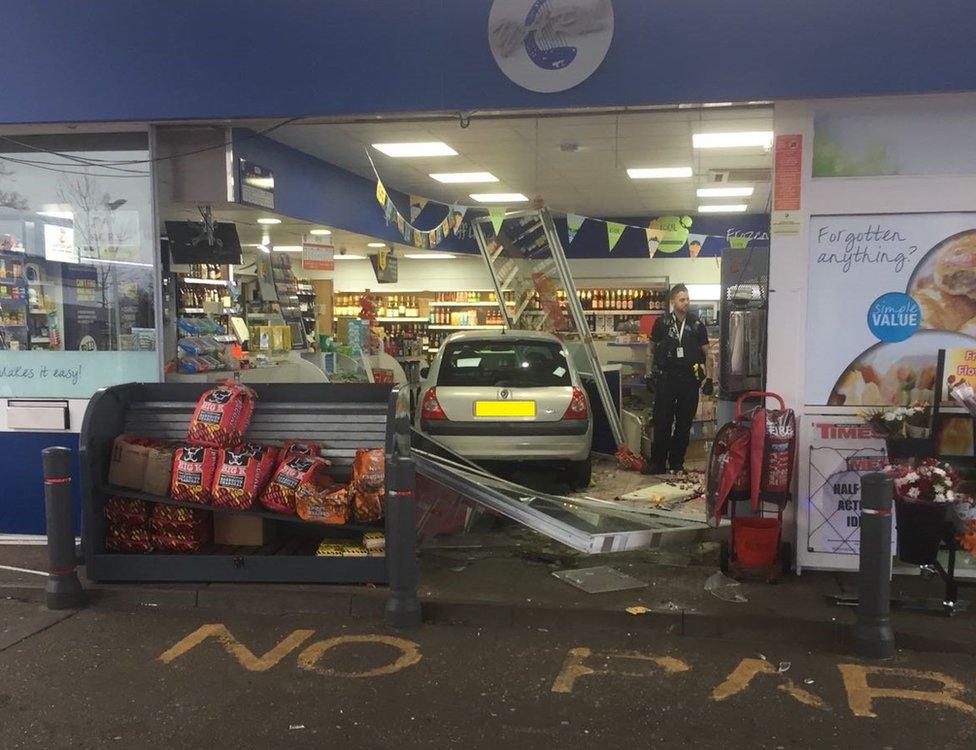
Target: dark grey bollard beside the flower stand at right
{"x":873,"y":636}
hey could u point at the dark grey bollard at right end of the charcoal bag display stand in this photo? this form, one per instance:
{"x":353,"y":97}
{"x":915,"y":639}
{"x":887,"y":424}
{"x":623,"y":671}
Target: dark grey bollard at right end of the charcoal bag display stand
{"x":403,"y":607}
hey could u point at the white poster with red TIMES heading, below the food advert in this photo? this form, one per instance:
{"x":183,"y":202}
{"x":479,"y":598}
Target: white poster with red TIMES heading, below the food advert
{"x":841,"y":451}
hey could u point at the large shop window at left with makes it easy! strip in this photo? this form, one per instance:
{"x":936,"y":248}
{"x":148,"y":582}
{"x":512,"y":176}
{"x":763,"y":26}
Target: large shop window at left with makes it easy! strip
{"x":77,"y":264}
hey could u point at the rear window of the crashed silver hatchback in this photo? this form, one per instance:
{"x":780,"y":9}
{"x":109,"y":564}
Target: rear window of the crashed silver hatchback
{"x":507,"y":363}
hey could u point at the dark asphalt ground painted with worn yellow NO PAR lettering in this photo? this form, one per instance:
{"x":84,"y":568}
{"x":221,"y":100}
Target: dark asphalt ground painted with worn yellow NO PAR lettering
{"x":154,"y":677}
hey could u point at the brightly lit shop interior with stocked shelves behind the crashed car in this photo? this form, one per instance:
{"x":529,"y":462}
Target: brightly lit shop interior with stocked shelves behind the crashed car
{"x":269,"y":316}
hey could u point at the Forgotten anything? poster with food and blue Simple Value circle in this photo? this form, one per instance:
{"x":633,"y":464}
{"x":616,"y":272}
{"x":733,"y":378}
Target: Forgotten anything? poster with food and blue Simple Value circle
{"x":886,"y":293}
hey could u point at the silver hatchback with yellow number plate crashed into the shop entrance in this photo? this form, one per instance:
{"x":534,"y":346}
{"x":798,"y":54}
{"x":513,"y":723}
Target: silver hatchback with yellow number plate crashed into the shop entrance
{"x":508,"y":396}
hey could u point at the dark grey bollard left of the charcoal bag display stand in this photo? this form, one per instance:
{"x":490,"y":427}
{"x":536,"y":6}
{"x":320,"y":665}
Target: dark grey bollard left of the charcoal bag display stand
{"x":63,"y":587}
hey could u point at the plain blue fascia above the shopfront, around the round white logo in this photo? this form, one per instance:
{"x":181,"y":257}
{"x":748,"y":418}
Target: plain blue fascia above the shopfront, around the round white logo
{"x":243,"y":58}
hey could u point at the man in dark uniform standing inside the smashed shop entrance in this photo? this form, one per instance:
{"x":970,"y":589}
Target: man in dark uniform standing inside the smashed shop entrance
{"x":680,"y":343}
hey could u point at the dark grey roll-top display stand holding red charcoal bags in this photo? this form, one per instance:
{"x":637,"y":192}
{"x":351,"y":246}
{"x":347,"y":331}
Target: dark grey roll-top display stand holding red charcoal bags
{"x":340,"y":417}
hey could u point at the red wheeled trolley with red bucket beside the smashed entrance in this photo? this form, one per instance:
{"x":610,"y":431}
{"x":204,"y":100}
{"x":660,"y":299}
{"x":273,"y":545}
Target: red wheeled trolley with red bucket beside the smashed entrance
{"x":752,"y":460}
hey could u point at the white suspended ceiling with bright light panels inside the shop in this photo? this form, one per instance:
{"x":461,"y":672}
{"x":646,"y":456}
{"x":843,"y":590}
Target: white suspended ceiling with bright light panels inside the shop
{"x":576,"y":163}
